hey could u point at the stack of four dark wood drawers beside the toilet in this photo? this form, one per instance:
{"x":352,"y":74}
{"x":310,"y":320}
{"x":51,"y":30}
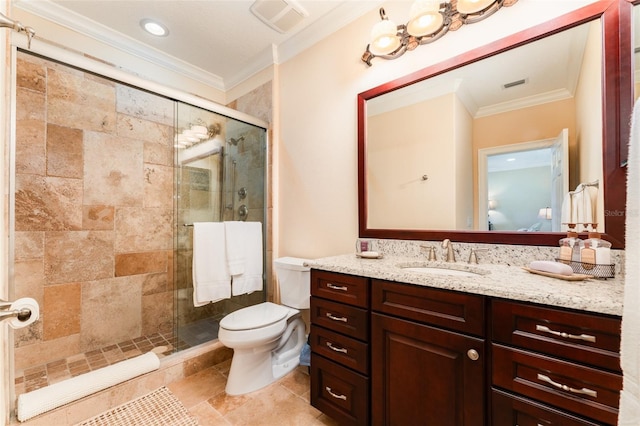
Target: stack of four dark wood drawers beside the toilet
{"x":339,"y":342}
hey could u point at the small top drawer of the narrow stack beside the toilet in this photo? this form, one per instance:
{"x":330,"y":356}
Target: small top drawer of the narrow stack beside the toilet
{"x":340,"y":287}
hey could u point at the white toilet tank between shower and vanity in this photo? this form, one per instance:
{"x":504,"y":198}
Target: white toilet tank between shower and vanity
{"x":294,"y":280}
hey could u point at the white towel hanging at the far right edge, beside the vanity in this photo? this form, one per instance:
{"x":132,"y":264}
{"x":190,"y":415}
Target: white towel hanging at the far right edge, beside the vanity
{"x":630,"y":348}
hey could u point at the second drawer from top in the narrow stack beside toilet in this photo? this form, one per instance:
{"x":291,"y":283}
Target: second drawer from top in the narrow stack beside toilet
{"x":345,"y":319}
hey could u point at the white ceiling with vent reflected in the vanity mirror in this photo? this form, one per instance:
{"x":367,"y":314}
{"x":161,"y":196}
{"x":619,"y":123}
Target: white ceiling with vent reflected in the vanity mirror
{"x":550,"y":68}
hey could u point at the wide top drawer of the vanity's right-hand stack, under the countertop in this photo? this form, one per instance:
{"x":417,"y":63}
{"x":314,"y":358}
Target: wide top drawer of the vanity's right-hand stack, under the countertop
{"x":586,"y":338}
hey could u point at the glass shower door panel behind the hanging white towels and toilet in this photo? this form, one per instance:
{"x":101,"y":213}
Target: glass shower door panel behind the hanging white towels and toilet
{"x":220,"y":176}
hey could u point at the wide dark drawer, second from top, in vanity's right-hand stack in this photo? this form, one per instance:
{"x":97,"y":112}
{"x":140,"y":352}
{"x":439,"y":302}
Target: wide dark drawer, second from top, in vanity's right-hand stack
{"x":568,"y":386}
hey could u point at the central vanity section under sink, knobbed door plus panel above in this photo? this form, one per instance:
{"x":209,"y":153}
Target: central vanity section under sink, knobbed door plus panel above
{"x":423,"y":373}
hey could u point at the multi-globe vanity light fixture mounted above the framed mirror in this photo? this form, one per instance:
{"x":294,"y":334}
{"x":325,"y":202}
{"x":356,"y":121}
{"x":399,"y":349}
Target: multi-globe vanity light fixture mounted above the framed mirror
{"x":428,"y":21}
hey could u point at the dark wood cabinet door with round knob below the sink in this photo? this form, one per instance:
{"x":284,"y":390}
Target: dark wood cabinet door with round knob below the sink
{"x":425,"y":375}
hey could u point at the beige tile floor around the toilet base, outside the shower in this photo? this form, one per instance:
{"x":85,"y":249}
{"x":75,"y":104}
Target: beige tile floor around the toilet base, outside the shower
{"x":285,"y":402}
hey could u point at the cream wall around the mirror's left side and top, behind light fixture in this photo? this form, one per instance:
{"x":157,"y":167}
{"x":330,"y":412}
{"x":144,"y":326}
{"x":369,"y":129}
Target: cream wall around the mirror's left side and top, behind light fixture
{"x":318,"y":89}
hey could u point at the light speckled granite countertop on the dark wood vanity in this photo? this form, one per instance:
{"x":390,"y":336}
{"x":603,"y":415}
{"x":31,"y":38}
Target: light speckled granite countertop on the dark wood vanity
{"x":510,"y":282}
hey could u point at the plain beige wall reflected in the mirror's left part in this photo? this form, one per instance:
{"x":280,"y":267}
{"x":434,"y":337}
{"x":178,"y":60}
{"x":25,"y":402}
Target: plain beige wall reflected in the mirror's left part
{"x":398,"y":157}
